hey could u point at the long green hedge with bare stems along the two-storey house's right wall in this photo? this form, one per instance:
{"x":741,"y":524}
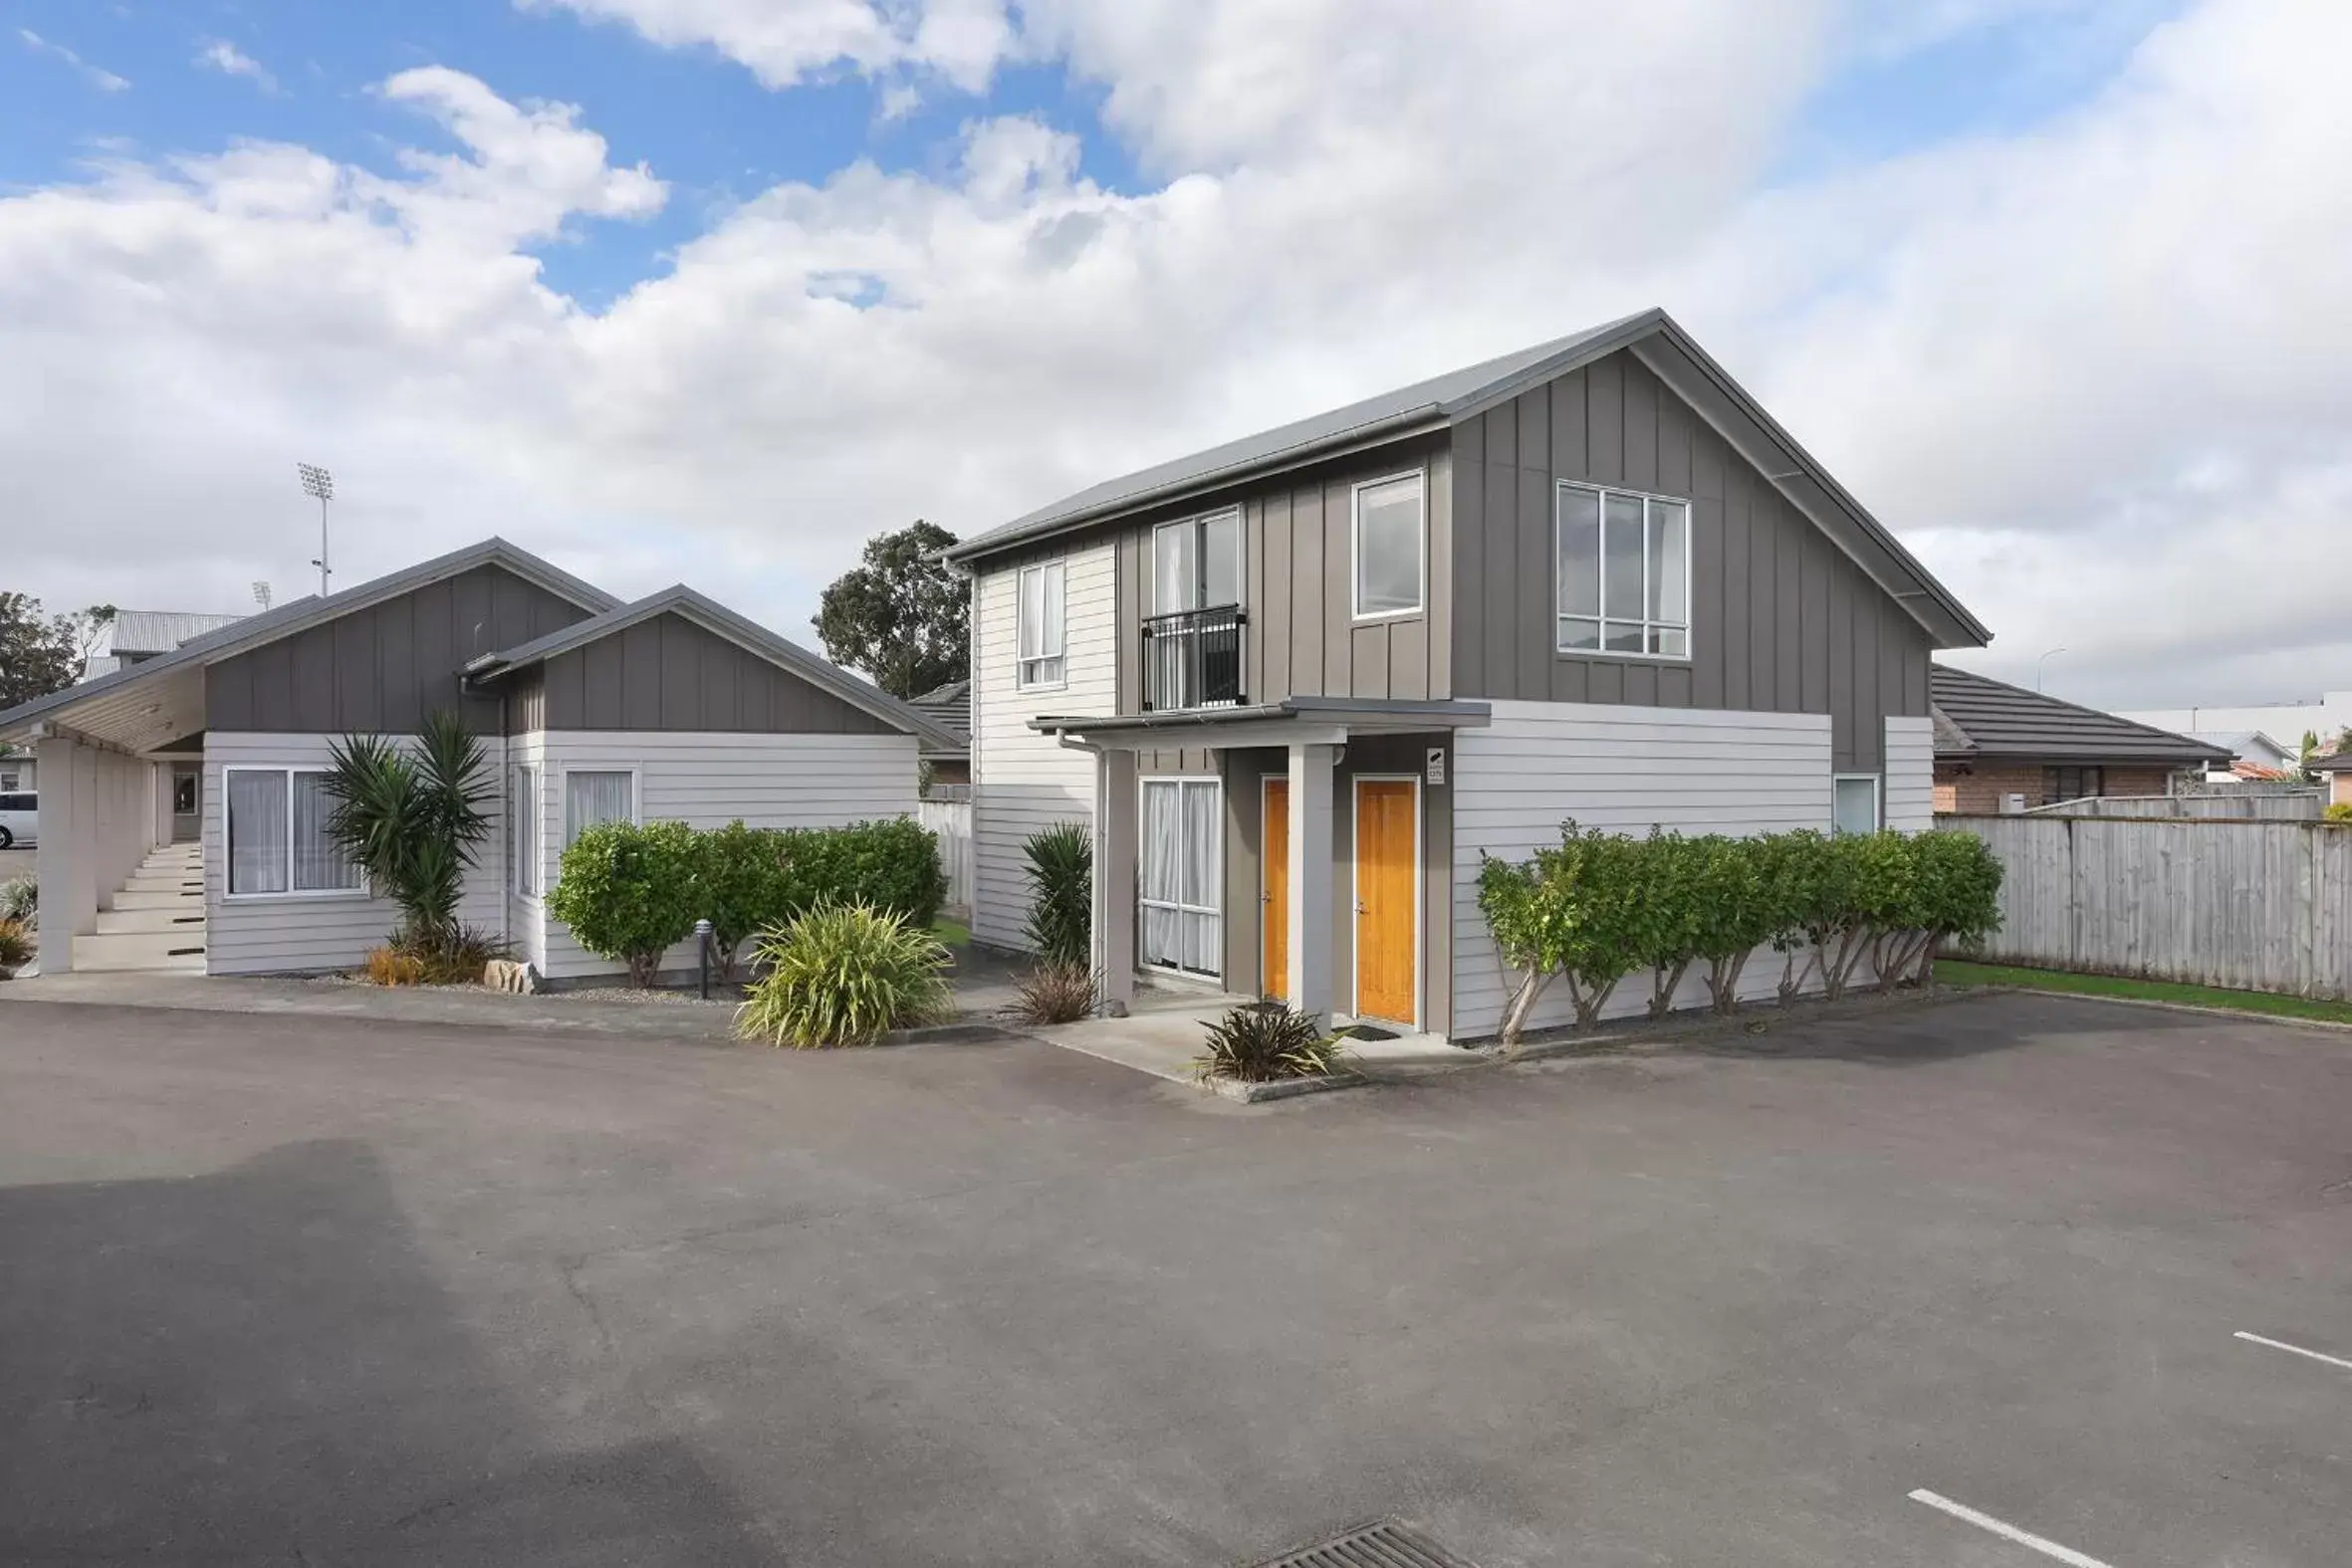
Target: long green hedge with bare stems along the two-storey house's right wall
{"x":1601,"y":906}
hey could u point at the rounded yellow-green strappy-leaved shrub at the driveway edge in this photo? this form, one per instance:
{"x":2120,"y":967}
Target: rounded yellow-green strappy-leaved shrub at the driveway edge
{"x":841,"y":977}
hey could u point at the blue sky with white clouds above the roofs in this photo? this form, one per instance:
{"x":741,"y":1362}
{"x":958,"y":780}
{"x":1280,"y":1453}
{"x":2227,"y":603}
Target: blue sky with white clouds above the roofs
{"x":714,"y":290}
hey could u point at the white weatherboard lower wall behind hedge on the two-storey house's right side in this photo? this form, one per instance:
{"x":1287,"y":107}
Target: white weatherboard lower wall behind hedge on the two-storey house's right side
{"x":1622,"y":770}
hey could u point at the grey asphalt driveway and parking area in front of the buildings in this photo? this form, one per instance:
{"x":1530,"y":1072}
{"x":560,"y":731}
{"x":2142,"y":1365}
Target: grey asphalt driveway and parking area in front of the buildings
{"x":288,"y":1289}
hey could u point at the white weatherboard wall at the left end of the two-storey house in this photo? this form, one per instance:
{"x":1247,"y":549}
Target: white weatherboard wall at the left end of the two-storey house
{"x":1024,"y":782}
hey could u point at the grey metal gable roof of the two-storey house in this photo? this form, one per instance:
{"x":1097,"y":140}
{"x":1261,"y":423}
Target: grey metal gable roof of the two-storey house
{"x":1443,"y":401}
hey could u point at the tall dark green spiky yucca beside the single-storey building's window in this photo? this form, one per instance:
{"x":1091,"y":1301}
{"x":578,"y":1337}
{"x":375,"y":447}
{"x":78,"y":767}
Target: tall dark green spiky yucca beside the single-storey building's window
{"x":413,"y":819}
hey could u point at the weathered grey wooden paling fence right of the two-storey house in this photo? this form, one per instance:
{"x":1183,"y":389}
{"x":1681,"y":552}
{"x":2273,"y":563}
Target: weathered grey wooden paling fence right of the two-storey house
{"x":2252,"y":906}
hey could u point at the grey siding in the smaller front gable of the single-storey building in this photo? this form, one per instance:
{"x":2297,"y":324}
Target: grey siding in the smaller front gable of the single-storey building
{"x":667,"y":674}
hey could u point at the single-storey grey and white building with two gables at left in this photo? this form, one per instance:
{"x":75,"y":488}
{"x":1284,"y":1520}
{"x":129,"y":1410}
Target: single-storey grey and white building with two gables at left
{"x":182,"y":808}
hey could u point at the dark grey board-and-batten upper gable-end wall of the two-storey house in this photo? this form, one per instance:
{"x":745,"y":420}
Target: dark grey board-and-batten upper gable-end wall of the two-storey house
{"x":1782,"y":619}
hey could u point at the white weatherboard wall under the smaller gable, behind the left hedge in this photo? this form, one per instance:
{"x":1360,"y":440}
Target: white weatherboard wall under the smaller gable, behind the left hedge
{"x":709,"y":782}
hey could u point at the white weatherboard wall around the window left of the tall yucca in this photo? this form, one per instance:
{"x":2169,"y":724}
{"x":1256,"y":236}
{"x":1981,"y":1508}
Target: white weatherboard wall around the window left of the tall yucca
{"x":312,"y":932}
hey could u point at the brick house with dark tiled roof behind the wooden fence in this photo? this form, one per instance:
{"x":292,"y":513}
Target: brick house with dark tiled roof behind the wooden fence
{"x":2005,"y":749}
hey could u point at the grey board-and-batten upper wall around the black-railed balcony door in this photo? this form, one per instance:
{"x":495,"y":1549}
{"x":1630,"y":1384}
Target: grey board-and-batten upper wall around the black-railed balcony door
{"x":1299,"y":634}
